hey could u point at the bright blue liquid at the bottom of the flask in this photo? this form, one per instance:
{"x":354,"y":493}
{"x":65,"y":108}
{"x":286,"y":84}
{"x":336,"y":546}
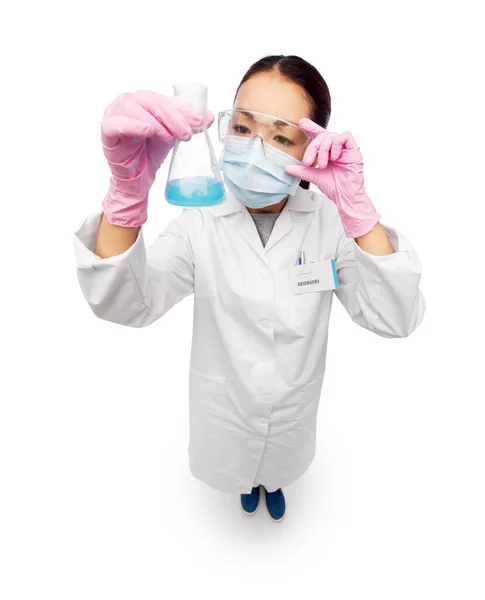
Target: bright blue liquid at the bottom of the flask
{"x":195,"y":191}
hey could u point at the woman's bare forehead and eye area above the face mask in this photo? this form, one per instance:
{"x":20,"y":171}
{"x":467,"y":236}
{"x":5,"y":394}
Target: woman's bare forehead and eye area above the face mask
{"x":270,"y":93}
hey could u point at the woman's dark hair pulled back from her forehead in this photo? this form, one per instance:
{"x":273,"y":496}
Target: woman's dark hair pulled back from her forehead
{"x":305,"y":75}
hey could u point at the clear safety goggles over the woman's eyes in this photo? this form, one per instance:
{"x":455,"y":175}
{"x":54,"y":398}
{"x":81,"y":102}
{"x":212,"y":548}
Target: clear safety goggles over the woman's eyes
{"x":251,"y":124}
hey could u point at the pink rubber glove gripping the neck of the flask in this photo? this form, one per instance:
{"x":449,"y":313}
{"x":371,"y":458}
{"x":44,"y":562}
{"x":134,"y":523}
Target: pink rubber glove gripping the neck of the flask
{"x":138,"y":131}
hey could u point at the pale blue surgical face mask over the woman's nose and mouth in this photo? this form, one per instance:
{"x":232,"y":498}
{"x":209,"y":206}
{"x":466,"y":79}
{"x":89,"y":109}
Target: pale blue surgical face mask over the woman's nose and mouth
{"x":257,"y":176}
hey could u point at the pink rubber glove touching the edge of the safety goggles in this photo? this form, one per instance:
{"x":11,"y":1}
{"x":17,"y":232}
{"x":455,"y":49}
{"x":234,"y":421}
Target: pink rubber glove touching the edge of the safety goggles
{"x":339,"y":176}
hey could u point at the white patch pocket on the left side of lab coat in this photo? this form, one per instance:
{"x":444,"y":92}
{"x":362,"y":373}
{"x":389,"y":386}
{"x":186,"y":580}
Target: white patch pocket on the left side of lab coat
{"x":208,"y":412}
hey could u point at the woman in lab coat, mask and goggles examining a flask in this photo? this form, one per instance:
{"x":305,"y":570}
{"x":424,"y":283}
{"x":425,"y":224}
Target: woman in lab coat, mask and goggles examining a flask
{"x":260,"y":320}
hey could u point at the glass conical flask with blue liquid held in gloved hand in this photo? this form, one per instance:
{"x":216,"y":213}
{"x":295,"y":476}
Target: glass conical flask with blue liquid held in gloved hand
{"x":194,"y":178}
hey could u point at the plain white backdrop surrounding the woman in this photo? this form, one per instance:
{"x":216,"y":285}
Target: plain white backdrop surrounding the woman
{"x":97,"y":500}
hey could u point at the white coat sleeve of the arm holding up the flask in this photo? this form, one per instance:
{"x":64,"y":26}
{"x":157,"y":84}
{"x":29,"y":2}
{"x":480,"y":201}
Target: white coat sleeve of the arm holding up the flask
{"x":140,"y":285}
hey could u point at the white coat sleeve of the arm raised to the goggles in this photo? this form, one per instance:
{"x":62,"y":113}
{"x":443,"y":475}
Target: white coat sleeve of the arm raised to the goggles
{"x":381,"y":293}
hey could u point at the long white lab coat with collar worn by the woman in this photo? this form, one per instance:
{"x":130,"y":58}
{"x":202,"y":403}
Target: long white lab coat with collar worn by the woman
{"x":258,"y":351}
